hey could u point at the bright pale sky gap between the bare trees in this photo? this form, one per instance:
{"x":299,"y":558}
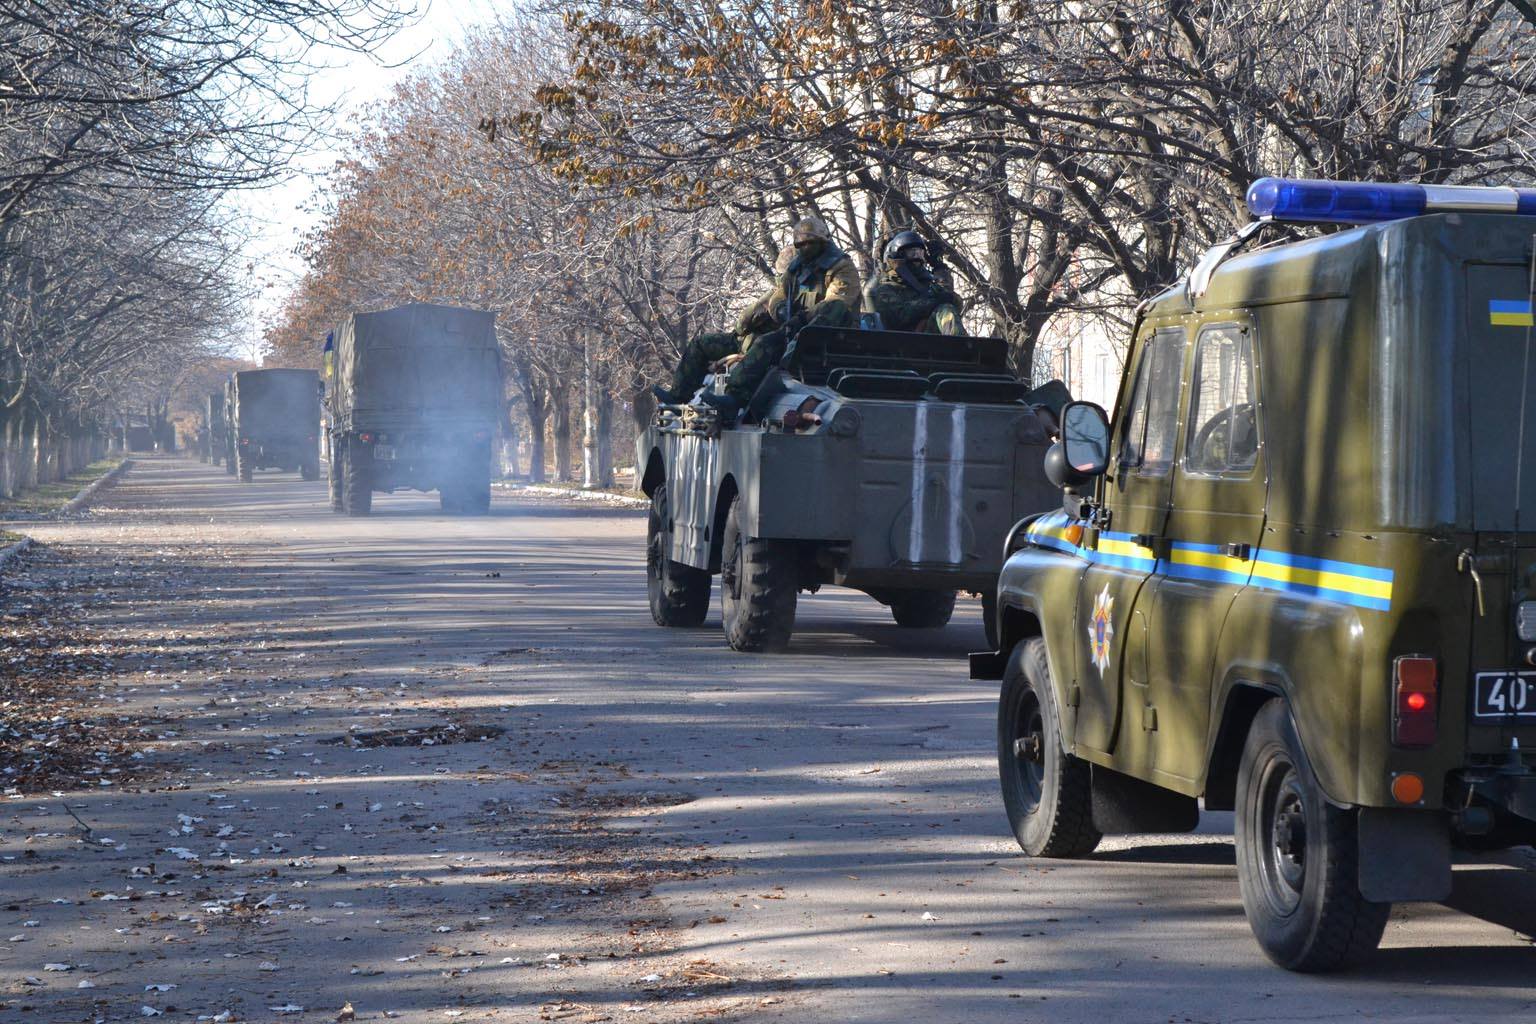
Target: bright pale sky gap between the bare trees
{"x":280,"y":214}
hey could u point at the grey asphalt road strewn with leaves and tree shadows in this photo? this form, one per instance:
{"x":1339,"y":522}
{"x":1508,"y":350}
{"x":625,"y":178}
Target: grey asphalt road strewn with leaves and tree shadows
{"x":657,"y":830}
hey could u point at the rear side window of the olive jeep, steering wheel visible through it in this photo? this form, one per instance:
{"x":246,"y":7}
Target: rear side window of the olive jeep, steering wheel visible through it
{"x":1223,"y":417}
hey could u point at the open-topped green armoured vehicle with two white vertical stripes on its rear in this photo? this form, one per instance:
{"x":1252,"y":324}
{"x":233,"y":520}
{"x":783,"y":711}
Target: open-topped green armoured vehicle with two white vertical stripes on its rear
{"x":887,"y":463}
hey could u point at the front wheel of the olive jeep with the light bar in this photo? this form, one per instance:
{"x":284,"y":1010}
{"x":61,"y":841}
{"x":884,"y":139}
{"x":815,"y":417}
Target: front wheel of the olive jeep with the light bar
{"x":1047,"y":791}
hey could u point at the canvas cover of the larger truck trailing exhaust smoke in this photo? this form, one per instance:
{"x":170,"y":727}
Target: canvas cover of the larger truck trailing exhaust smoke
{"x":420,"y":362}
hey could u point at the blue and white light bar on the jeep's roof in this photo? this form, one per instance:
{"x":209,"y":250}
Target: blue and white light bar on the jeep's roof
{"x":1366,"y":202}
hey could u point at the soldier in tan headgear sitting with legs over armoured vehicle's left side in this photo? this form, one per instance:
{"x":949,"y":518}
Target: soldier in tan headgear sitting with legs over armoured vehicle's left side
{"x":821,"y":286}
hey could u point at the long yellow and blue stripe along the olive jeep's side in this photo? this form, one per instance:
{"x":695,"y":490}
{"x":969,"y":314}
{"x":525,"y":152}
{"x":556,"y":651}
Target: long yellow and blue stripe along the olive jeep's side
{"x":1325,"y":580}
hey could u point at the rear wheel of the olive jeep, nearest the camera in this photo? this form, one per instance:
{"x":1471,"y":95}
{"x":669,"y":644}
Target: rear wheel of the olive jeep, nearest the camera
{"x":1297,"y":857}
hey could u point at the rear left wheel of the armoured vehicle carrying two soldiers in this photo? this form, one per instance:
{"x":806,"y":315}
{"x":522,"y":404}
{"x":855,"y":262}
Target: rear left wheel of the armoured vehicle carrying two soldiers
{"x":758,"y":589}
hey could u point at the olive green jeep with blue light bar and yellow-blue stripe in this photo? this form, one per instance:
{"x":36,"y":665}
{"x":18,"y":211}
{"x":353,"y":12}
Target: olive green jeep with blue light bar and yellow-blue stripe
{"x":1293,"y":578}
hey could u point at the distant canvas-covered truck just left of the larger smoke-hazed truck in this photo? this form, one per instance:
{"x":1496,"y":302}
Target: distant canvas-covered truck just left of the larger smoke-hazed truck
{"x":276,"y":421}
